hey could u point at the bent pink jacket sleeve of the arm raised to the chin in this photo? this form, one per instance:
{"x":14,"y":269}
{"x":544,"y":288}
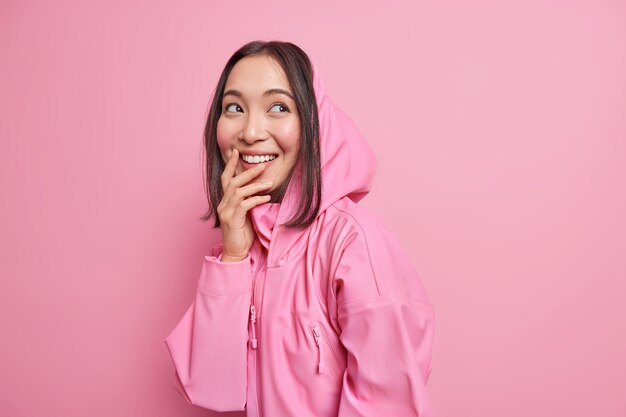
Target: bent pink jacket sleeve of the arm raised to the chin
{"x":209,"y":345}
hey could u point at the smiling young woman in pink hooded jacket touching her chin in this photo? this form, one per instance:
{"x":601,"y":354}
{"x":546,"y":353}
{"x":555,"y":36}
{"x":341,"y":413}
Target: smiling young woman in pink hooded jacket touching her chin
{"x":309,"y":306}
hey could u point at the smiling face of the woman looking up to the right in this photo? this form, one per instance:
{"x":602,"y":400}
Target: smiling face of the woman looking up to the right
{"x":259,"y":117}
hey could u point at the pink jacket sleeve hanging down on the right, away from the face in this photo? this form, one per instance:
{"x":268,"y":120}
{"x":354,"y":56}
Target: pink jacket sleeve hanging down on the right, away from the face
{"x":387,"y":328}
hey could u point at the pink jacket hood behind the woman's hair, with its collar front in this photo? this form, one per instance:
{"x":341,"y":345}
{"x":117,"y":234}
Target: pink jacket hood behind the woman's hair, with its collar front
{"x":348,"y":167}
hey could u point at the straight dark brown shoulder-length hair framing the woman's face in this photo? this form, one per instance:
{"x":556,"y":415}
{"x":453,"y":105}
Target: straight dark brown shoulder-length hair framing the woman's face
{"x":299,"y":71}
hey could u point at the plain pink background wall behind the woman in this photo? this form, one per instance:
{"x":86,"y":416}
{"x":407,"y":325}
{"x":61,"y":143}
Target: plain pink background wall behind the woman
{"x":501,"y":137}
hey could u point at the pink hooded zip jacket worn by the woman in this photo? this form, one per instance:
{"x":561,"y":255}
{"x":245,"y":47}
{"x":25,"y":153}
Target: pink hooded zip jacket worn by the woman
{"x":327,"y":321}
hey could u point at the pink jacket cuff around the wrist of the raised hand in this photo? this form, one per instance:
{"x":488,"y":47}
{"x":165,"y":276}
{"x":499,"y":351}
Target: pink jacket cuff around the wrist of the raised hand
{"x":225,"y":278}
